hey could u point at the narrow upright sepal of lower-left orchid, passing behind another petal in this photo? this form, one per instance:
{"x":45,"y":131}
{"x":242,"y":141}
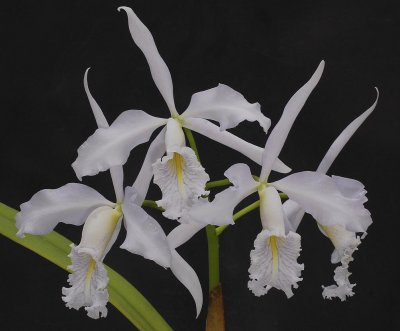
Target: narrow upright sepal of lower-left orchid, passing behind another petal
{"x":117,"y":174}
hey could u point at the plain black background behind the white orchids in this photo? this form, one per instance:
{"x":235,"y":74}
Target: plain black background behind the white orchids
{"x":264,"y":49}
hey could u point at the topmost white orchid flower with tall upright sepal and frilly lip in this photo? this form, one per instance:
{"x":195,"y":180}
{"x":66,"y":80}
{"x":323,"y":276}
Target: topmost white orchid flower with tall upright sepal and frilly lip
{"x":179,"y":174}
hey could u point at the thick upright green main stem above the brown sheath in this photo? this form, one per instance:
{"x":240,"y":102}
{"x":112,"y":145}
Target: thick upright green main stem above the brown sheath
{"x":213,"y":258}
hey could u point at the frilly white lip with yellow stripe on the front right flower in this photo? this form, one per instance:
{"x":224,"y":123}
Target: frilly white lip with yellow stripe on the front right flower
{"x":274,"y":263}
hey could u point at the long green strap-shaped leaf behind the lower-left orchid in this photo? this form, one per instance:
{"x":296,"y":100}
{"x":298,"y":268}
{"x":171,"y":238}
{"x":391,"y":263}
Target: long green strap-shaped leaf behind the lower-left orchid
{"x":55,"y":248}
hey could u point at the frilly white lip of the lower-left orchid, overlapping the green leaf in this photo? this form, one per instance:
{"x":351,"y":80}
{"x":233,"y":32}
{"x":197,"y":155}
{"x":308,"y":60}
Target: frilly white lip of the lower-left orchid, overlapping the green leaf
{"x":88,"y":282}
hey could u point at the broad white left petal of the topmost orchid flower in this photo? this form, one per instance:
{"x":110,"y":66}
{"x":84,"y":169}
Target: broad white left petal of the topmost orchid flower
{"x":111,"y":146}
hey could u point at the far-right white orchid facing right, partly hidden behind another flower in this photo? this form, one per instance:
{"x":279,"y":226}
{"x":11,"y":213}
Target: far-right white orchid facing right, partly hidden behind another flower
{"x":345,"y":242}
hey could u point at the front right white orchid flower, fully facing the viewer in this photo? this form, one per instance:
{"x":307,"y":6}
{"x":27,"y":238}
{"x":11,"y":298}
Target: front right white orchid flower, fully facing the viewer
{"x":274,"y":258}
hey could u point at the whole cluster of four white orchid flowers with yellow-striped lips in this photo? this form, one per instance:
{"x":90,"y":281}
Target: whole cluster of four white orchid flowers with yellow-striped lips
{"x":336,"y":203}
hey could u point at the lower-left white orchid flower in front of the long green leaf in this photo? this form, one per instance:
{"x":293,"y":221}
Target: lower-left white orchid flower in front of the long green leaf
{"x":79,"y":204}
